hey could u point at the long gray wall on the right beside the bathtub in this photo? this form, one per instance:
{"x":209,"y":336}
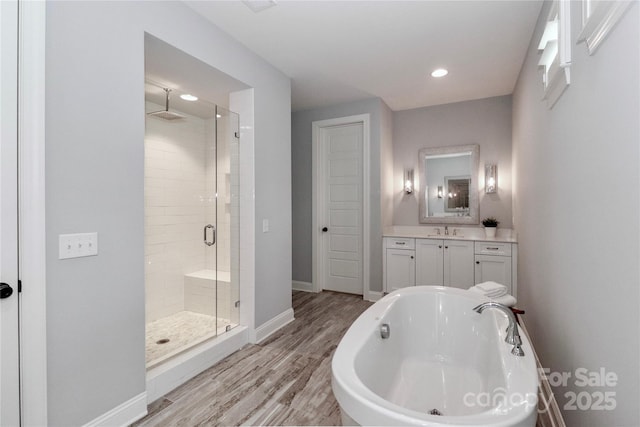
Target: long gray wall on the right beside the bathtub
{"x":578,"y":261}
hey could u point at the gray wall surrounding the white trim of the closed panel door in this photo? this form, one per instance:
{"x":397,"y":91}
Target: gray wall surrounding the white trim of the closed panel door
{"x":301,"y":188}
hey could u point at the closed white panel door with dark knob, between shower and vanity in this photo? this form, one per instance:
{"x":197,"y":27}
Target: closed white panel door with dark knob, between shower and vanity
{"x":342,"y":228}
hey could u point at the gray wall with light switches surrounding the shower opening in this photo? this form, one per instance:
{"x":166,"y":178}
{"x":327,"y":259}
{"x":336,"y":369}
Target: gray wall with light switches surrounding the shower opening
{"x":94,"y":178}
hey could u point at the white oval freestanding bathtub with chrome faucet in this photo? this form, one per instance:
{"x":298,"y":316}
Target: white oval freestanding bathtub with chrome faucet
{"x":440,"y":355}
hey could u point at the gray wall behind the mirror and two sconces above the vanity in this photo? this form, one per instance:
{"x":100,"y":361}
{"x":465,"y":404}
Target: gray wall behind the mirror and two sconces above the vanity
{"x":486,"y":122}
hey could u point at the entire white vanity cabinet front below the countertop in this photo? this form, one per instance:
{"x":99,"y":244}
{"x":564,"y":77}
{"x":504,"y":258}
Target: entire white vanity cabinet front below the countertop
{"x":447,"y":262}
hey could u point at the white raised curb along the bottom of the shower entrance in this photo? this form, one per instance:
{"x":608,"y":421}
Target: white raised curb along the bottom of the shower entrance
{"x":180,"y":369}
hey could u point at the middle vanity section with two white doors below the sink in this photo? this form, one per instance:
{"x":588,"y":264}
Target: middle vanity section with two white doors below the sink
{"x":444,"y":263}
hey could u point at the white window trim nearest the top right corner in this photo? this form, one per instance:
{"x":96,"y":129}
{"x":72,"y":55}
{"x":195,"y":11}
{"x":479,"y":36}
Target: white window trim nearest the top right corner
{"x":597,"y":24}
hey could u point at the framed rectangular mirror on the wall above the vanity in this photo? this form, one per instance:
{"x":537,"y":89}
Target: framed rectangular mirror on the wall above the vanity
{"x":449,"y":185}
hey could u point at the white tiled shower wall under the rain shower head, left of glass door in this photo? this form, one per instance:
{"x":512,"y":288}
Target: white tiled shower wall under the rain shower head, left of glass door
{"x":176,"y":200}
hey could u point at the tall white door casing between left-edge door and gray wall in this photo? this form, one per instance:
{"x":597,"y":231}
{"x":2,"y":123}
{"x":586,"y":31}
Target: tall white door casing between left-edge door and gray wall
{"x":32,"y":212}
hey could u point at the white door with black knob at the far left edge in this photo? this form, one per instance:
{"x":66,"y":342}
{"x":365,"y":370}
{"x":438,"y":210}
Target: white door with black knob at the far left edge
{"x":9,"y":355}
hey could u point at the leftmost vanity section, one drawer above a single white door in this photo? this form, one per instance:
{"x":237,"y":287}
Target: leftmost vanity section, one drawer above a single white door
{"x":399,"y":264}
